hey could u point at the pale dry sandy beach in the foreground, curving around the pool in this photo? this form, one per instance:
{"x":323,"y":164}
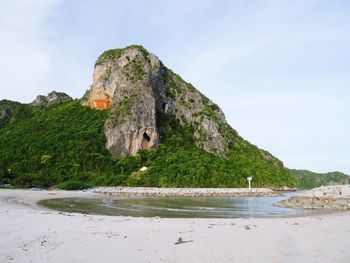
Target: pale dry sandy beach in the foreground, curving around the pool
{"x":30,"y":233}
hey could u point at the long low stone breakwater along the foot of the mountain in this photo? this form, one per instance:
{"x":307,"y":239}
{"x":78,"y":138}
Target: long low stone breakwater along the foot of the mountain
{"x":182,"y":192}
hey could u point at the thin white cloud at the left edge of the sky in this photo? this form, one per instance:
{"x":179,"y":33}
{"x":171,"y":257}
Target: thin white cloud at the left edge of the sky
{"x":25,"y":57}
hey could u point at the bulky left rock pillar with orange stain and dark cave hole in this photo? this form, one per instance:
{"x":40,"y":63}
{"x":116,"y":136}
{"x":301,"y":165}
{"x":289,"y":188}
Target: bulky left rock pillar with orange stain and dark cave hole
{"x":125,"y":84}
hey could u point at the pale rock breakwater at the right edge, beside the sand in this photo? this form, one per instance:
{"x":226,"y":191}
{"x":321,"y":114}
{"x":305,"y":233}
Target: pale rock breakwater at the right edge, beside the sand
{"x":325,"y":197}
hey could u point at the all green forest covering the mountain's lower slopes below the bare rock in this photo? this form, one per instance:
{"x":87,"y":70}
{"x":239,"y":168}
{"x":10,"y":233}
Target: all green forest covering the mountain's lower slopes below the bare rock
{"x":64,"y":145}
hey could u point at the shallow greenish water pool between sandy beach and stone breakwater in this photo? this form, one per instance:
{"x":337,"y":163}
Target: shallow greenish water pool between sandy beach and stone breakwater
{"x":177,"y":207}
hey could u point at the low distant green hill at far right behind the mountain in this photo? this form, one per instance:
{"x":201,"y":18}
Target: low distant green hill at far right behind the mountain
{"x":307,"y":179}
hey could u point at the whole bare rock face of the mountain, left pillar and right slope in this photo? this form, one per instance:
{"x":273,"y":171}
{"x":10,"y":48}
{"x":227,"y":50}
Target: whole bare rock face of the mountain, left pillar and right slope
{"x":137,"y":87}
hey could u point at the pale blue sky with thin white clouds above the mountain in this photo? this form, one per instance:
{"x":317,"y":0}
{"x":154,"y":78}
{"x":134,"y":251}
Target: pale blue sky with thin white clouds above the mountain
{"x":280,"y":70}
